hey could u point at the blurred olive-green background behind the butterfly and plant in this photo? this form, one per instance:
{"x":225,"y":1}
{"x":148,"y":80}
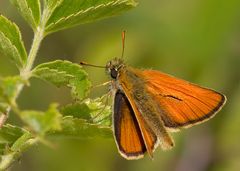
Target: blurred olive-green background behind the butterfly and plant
{"x":197,"y":40}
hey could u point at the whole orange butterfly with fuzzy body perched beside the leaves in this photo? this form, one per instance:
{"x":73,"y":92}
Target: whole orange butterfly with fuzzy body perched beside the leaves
{"x":149,"y":104}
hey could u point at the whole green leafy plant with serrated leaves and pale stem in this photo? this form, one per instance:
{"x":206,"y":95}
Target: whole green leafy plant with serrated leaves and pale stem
{"x":82,"y":119}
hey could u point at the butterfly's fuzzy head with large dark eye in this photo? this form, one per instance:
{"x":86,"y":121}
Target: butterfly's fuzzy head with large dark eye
{"x":114,"y":66}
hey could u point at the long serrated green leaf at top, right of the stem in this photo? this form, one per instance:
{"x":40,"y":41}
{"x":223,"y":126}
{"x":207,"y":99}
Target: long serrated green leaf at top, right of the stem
{"x":65,"y":13}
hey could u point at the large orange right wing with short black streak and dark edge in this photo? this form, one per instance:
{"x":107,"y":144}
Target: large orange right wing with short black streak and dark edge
{"x":182,"y":104}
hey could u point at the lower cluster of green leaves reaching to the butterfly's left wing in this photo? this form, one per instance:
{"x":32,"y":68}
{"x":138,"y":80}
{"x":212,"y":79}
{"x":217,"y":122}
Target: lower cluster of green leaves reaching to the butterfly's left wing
{"x":73,"y":124}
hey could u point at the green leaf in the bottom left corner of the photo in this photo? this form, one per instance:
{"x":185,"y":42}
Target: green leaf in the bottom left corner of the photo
{"x":13,"y":142}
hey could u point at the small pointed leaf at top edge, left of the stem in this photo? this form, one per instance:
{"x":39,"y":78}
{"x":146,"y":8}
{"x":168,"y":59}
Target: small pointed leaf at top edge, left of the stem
{"x":30,"y":10}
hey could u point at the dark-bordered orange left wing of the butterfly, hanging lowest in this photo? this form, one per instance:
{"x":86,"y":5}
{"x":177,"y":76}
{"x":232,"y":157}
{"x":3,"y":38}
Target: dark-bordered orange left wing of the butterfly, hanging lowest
{"x":128,"y":135}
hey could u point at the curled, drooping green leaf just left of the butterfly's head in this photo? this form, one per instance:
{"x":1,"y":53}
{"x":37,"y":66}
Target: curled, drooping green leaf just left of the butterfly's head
{"x":65,"y":73}
